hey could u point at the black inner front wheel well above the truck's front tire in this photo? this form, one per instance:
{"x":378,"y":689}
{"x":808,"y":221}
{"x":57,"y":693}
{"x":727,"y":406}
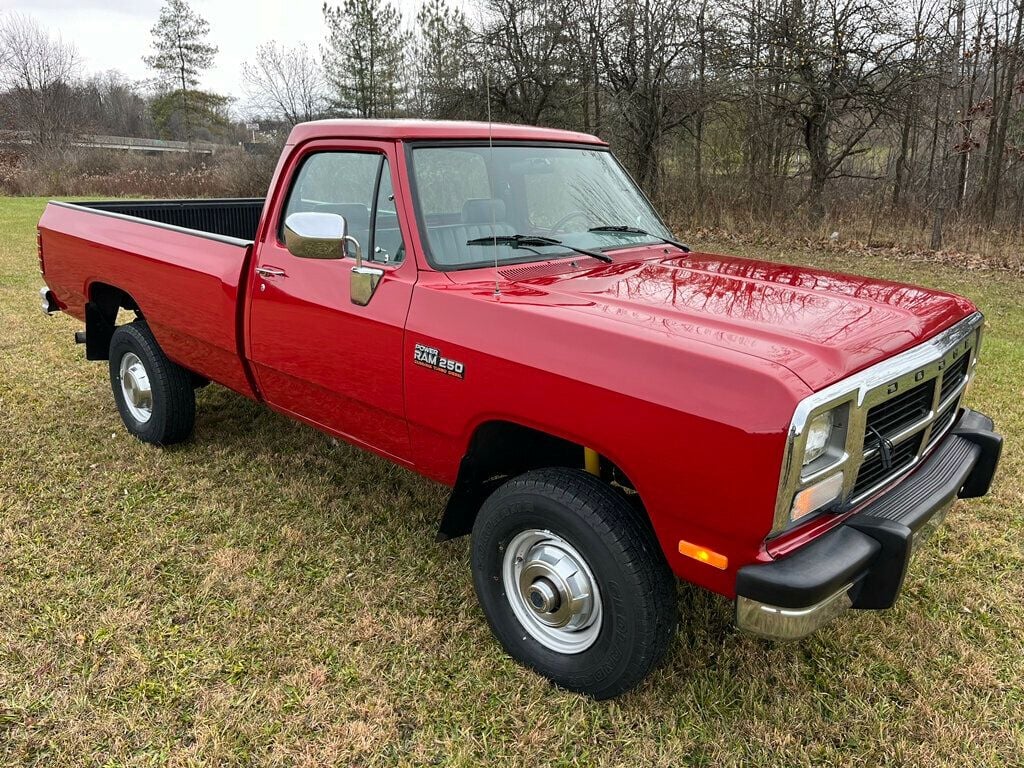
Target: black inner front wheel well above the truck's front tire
{"x":501,"y":450}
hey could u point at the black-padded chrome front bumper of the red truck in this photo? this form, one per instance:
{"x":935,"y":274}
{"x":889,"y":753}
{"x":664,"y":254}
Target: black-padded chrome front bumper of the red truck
{"x":863,"y":563}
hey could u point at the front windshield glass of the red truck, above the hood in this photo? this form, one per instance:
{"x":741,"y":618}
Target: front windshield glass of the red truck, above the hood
{"x":467,"y":194}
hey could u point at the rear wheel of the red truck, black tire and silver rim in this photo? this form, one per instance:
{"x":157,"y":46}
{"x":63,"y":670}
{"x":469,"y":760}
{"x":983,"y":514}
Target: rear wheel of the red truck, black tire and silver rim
{"x":154,"y":396}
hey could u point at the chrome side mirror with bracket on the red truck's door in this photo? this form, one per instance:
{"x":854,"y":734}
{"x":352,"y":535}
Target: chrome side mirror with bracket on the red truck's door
{"x":323,"y":236}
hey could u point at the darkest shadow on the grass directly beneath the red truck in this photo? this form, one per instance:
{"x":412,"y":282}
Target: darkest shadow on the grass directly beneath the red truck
{"x":330,"y":484}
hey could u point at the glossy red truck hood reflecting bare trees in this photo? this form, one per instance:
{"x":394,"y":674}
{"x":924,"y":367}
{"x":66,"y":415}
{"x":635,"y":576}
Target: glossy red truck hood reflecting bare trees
{"x":822,"y":326}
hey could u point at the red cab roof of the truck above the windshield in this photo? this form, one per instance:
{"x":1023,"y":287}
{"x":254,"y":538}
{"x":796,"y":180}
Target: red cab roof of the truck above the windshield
{"x":413,"y":131}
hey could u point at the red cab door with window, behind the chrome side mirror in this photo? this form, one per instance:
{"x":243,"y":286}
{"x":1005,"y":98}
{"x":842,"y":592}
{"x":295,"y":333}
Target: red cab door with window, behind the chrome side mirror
{"x":318,"y":356}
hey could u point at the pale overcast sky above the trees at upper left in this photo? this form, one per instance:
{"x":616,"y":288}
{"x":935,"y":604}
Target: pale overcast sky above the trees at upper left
{"x":115,"y":34}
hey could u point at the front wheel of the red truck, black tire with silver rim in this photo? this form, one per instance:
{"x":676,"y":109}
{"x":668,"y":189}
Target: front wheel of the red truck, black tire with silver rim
{"x":573,"y":582}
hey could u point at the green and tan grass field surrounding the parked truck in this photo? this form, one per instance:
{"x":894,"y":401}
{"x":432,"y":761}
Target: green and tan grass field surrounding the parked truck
{"x":263,"y":595}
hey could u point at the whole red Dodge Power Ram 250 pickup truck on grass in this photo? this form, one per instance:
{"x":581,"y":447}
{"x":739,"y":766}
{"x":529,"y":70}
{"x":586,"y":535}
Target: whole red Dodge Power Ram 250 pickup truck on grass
{"x":501,"y":310}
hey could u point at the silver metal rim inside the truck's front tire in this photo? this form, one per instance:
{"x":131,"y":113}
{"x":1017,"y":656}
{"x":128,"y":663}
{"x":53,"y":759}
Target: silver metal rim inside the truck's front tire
{"x":552,"y":591}
